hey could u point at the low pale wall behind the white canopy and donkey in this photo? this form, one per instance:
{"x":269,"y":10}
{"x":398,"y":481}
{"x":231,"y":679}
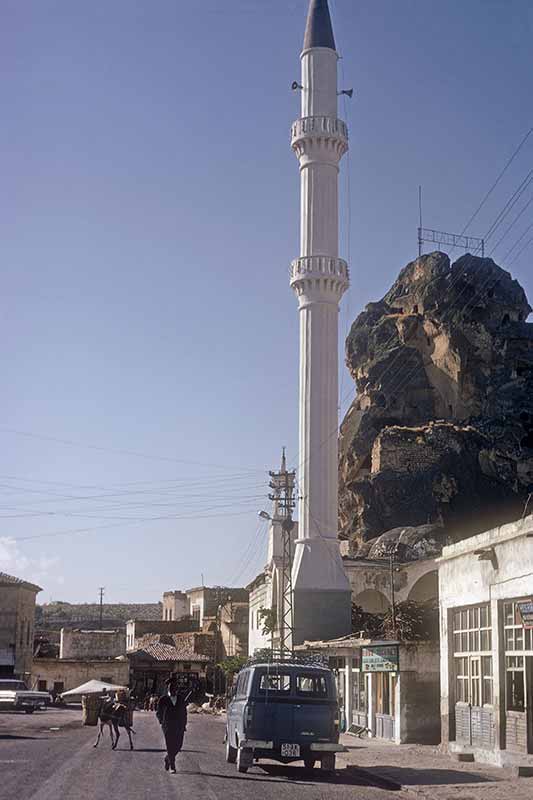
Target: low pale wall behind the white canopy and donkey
{"x":74,"y":673}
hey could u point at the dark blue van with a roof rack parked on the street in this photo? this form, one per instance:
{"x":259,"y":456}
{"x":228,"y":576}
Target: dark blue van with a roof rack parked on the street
{"x":286,"y":712}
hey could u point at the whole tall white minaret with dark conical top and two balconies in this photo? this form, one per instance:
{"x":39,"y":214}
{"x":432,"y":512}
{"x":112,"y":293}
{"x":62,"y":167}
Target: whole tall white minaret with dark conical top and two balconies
{"x":319,"y":279}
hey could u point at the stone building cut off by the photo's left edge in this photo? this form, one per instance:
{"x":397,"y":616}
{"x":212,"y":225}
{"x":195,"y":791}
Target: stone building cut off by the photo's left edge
{"x":17,"y":615}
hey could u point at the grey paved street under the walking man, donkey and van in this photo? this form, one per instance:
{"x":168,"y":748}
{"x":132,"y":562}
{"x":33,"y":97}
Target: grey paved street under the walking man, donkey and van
{"x":39,"y":763}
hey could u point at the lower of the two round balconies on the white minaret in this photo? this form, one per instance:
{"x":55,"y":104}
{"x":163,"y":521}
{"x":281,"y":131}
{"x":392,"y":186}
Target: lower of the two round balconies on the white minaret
{"x":323,"y":274}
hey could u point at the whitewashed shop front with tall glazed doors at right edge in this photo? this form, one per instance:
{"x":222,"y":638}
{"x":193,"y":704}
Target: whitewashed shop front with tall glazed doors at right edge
{"x":486,"y":599}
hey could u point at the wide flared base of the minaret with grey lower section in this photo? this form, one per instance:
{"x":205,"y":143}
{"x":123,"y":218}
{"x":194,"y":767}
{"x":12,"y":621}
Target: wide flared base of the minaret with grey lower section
{"x":322,"y":599}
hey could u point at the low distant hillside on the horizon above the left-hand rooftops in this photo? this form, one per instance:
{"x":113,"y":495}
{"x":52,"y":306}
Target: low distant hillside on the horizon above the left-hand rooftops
{"x":68,"y":615}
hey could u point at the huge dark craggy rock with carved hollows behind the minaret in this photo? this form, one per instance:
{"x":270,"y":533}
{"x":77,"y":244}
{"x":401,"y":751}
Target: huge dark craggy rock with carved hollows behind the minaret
{"x":441,"y":430}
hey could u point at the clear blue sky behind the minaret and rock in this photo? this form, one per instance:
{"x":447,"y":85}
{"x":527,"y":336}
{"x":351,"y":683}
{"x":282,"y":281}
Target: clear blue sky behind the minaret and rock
{"x":149,"y":211}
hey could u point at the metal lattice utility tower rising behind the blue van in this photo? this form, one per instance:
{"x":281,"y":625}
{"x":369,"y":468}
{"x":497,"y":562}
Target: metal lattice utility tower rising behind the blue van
{"x":282,"y":485}
